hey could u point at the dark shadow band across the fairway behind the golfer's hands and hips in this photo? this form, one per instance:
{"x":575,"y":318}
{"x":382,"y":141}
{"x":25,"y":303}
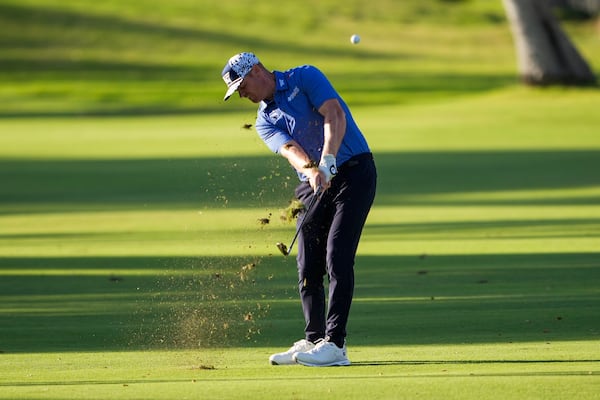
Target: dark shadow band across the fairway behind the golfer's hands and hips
{"x":404,"y":179}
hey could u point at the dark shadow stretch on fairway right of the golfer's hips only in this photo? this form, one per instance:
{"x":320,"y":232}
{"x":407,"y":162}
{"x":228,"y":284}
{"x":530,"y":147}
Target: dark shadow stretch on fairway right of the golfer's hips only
{"x":414,"y":174}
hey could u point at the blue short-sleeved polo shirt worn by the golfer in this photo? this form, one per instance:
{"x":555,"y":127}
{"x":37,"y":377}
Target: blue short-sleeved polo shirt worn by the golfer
{"x":293,"y":115}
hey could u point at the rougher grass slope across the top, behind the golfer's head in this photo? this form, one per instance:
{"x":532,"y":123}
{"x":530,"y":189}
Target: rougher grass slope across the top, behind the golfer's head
{"x":85,"y":58}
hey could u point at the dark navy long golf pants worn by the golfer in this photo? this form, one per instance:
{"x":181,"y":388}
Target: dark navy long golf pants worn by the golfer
{"x":327,"y":245}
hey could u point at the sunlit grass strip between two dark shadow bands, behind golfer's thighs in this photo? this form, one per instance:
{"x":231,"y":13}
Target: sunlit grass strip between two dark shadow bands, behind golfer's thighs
{"x":390,"y":230}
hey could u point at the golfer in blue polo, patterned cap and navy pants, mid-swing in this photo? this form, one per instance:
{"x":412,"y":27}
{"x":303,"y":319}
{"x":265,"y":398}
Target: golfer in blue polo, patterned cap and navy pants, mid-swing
{"x":302,"y":117}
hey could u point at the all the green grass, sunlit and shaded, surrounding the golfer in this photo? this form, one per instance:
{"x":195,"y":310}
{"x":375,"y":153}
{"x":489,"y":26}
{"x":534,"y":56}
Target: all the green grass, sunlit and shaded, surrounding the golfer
{"x":138,"y":217}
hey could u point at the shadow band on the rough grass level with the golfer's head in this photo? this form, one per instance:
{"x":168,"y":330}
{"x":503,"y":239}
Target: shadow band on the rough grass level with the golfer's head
{"x":181,"y":98}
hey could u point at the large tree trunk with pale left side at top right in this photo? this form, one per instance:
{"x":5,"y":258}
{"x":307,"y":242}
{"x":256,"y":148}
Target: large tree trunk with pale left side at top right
{"x":545,"y":54}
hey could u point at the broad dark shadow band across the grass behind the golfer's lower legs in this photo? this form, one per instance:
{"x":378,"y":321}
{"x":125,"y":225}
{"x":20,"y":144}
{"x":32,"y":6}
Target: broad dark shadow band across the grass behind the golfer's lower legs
{"x":131,"y":303}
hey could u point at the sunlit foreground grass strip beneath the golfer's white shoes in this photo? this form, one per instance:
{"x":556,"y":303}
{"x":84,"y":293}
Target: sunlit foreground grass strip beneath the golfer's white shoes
{"x":428,"y":372}
